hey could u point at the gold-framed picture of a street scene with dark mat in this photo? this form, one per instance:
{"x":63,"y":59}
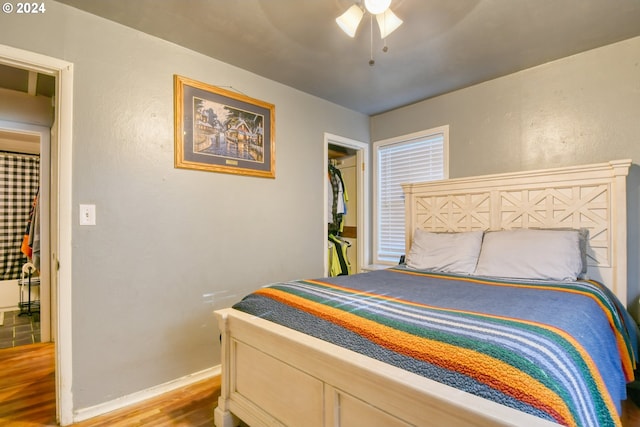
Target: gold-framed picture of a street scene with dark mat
{"x":219,"y":130}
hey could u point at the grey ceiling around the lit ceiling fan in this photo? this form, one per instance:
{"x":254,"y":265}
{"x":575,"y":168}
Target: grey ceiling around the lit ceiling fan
{"x":443,"y":45}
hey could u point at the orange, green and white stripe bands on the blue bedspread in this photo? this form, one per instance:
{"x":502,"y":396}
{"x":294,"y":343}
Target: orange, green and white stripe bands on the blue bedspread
{"x":532,"y":362}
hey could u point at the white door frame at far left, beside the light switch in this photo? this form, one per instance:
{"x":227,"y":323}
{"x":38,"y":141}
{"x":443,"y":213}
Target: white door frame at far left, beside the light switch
{"x":60,"y":210}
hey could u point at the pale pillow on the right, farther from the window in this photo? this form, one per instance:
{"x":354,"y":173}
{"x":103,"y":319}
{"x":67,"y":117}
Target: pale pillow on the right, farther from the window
{"x":531,"y":254}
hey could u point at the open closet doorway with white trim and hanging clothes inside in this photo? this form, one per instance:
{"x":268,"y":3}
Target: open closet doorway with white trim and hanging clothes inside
{"x":351,"y":157}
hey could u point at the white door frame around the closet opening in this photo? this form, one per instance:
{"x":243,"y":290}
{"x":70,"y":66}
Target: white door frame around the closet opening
{"x":363,"y":211}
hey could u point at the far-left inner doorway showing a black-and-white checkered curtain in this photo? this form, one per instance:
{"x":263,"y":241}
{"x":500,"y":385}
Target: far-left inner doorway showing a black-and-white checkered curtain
{"x":26,"y":301}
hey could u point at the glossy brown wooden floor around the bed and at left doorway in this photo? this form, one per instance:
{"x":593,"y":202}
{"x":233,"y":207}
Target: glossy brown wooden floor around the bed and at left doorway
{"x":27,"y":389}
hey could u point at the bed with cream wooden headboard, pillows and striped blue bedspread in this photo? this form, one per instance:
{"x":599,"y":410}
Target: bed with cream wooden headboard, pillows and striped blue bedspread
{"x":467,"y":349}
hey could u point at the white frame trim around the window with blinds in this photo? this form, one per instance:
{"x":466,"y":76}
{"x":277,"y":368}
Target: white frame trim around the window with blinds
{"x":408,"y":138}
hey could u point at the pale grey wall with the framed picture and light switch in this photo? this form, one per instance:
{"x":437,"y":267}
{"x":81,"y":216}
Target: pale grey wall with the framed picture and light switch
{"x":171,"y":245}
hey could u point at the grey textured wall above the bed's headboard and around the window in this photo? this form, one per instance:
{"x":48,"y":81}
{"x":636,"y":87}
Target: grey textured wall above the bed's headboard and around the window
{"x":577,"y":110}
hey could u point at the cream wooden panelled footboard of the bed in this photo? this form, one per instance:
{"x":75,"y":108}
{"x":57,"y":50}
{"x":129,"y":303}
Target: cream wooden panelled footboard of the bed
{"x":274,"y":376}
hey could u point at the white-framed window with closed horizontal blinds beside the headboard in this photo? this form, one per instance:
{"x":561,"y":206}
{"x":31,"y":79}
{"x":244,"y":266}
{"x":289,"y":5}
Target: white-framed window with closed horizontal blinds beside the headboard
{"x":421,"y":156}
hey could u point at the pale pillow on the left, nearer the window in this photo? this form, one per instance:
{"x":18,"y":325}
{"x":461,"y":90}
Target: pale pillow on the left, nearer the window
{"x":445,"y":252}
